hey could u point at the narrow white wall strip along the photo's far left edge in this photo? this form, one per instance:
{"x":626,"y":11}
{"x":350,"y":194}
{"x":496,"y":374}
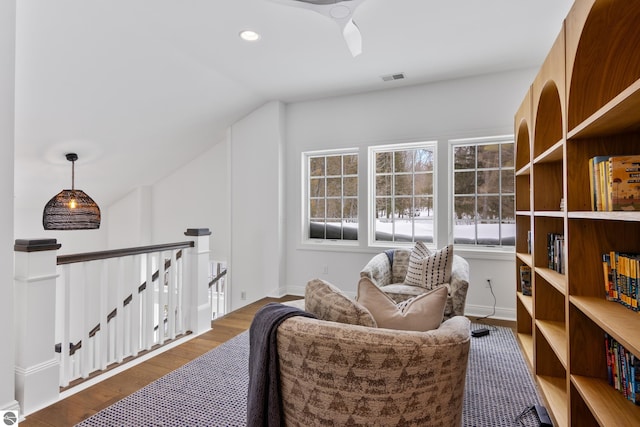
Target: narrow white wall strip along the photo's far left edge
{"x":7,"y":77}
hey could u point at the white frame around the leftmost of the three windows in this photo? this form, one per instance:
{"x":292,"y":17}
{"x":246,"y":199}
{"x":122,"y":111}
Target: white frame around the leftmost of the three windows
{"x":306,"y":240}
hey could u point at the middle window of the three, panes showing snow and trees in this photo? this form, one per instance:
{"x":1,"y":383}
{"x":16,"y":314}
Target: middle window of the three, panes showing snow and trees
{"x":403,"y":192}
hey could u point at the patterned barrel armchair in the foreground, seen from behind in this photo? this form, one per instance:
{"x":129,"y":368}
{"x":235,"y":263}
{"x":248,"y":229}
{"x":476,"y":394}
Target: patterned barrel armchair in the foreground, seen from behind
{"x":347,"y":375}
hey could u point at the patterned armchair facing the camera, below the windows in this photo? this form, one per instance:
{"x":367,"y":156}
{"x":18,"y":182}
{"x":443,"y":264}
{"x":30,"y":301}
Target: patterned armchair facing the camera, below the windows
{"x":388,"y":271}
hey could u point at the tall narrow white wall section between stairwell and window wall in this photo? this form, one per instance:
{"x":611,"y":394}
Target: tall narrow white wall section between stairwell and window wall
{"x":257,"y":228}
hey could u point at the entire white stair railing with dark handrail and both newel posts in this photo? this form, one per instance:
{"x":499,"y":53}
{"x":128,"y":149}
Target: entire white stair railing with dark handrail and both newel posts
{"x":105,"y":308}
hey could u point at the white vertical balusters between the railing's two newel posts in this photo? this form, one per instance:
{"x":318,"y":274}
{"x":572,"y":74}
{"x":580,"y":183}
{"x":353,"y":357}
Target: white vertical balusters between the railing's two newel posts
{"x":112,"y":310}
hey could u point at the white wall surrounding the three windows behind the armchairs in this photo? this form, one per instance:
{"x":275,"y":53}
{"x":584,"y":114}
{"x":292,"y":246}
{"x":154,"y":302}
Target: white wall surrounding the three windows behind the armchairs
{"x":479,"y":106}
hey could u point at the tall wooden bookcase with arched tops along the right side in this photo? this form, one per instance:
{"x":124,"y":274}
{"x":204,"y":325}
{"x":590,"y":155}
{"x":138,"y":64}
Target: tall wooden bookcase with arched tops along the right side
{"x":584,"y":102}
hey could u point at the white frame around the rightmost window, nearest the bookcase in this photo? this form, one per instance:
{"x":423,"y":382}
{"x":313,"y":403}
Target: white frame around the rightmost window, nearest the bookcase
{"x":472,"y":141}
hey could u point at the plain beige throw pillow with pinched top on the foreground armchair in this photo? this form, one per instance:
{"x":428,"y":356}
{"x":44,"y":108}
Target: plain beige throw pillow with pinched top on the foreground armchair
{"x":422,"y":313}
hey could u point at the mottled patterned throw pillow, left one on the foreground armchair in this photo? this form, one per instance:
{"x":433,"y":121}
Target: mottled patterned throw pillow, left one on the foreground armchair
{"x":328,"y":302}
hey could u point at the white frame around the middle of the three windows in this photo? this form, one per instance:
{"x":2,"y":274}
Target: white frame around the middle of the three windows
{"x":371,"y":189}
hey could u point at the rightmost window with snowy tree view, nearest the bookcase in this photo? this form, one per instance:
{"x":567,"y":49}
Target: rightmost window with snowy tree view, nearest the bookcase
{"x":483,"y":192}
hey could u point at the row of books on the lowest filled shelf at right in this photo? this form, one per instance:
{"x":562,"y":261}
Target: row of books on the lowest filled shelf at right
{"x":623,"y":369}
